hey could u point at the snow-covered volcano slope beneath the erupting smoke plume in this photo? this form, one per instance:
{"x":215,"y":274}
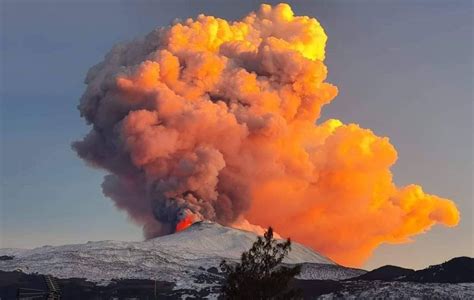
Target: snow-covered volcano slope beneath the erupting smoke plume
{"x":181,"y":257}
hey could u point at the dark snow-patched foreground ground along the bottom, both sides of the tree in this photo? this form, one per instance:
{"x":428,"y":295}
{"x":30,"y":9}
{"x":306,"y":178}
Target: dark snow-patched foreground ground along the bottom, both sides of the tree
{"x":80,"y":289}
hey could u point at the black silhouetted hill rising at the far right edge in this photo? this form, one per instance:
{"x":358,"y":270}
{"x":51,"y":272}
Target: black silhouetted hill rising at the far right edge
{"x":456,"y":270}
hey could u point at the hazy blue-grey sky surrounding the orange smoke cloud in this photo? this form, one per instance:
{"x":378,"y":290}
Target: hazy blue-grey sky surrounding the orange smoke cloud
{"x":403,"y":69}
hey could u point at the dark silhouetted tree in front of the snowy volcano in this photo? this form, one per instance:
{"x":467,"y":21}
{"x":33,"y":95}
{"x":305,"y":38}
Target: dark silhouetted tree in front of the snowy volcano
{"x":260,"y":274}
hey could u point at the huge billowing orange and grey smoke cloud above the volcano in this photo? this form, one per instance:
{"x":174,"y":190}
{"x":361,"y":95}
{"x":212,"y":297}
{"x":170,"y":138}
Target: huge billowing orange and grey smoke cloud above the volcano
{"x":209,"y":119}
